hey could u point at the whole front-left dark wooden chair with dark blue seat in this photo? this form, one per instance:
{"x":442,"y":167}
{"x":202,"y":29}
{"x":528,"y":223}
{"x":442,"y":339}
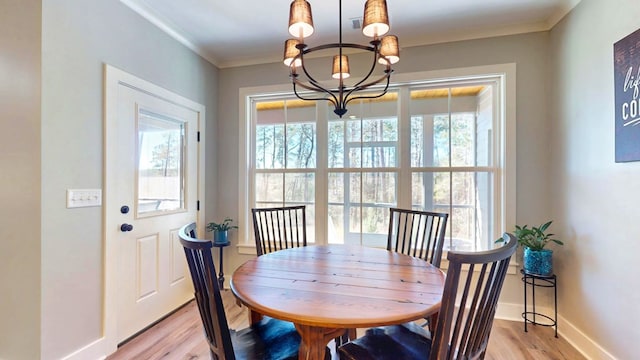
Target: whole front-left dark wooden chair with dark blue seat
{"x":269,"y":339}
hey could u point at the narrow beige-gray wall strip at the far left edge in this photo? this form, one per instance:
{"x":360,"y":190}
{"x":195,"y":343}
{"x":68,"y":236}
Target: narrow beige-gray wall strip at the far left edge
{"x":20,"y":179}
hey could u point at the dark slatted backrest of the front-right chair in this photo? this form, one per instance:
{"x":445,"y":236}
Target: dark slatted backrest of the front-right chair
{"x":466,"y":316}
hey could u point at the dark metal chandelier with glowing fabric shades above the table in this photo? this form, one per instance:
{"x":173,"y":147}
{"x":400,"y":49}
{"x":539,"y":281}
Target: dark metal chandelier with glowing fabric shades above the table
{"x":384,"y":50}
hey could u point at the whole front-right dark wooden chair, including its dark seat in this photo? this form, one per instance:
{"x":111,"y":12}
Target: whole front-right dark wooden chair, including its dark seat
{"x":472,"y":287}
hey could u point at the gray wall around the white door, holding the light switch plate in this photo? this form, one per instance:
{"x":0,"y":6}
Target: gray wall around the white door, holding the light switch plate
{"x":79,"y":37}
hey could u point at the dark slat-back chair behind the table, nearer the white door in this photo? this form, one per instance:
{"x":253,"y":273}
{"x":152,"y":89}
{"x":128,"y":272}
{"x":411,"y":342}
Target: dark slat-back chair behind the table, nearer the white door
{"x":279,"y":228}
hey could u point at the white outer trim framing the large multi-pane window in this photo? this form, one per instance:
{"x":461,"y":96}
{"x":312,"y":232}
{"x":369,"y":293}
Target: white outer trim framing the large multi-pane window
{"x":506,"y":161}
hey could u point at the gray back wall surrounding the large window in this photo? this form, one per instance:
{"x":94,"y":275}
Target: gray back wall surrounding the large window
{"x":529,"y":52}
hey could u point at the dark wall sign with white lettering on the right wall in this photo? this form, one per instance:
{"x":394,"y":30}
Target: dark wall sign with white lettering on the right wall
{"x":626,"y":57}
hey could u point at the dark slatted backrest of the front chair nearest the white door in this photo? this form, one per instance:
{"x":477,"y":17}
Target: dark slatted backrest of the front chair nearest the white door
{"x":207,"y":292}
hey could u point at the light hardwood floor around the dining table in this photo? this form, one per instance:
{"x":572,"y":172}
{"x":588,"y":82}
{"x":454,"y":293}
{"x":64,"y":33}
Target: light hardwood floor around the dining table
{"x":180,"y":336}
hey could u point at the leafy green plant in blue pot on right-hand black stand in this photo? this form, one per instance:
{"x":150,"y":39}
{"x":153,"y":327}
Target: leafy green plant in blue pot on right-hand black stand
{"x":538,"y":260}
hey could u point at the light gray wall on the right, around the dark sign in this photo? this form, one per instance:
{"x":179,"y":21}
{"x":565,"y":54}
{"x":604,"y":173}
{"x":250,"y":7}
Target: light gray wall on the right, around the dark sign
{"x":594,"y":200}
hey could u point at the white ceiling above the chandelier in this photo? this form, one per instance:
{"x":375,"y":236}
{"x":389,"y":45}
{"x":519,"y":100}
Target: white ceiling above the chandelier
{"x":243,"y":32}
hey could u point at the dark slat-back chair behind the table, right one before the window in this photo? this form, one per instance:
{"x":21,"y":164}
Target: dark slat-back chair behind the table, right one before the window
{"x":417,"y":233}
